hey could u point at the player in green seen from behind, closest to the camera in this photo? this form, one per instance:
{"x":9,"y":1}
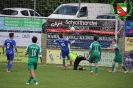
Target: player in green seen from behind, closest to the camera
{"x":33,"y":50}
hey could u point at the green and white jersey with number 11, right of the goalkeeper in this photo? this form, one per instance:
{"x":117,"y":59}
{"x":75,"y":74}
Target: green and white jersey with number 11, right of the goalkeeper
{"x":95,"y":48}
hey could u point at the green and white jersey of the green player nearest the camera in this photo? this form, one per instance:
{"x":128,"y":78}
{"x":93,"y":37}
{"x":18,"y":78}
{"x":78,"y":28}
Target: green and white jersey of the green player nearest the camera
{"x":33,"y":51}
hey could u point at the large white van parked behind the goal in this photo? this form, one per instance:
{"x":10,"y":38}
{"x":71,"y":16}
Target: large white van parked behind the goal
{"x":87,"y":10}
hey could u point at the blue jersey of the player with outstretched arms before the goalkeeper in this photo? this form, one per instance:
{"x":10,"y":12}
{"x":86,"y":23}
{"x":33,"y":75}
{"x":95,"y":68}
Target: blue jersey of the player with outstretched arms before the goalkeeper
{"x":63,"y":44}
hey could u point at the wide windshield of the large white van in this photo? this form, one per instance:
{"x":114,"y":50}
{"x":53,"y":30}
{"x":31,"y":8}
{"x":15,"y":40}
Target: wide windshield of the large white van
{"x":66,"y":10}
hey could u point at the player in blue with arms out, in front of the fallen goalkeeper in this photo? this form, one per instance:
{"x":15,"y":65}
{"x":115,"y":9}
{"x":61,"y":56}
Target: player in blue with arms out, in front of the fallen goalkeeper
{"x":63,"y":42}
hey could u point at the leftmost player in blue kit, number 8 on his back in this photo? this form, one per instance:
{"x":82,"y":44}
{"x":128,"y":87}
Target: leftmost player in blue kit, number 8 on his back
{"x":9,"y":44}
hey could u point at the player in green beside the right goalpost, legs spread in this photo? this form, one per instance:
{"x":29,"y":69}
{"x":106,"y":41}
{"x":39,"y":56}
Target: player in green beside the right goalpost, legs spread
{"x":118,"y":56}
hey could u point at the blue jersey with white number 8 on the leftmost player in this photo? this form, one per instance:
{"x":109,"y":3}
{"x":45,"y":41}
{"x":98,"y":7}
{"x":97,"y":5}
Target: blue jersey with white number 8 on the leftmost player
{"x":9,"y":44}
